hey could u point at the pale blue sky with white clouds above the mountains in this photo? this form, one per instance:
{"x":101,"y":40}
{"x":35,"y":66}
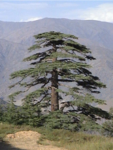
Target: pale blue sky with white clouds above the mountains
{"x":29,"y":10}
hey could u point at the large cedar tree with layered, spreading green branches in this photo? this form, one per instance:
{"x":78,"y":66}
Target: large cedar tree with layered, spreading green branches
{"x":60,"y":69}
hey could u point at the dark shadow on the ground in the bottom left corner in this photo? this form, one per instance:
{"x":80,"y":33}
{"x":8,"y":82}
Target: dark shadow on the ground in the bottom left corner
{"x":5,"y":146}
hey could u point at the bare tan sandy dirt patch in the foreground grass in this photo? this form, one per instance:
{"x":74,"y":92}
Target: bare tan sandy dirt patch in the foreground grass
{"x":25,"y":140}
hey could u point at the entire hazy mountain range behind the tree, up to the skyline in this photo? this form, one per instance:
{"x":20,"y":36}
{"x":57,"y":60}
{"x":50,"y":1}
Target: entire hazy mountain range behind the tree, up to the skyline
{"x":16,"y":37}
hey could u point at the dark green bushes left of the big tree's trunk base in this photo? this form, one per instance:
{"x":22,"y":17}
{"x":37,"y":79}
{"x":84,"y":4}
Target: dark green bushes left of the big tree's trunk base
{"x":28,"y":114}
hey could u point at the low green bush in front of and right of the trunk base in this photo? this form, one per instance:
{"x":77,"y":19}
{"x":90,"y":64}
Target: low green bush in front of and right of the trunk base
{"x":70,"y":121}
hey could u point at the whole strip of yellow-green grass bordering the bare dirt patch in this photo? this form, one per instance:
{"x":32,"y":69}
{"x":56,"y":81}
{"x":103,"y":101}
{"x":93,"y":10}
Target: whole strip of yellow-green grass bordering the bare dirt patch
{"x":63,"y":138}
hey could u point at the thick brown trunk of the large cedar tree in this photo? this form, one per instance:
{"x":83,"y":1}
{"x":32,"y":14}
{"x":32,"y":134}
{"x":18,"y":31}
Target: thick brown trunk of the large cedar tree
{"x":54,"y":86}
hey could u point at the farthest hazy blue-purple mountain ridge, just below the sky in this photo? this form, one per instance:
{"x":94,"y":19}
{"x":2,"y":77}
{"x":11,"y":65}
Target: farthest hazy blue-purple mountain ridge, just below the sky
{"x":96,"y":31}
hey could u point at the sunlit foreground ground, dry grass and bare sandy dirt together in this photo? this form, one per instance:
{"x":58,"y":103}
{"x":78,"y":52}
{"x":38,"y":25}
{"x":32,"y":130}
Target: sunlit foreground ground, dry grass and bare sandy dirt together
{"x":42,"y":139}
